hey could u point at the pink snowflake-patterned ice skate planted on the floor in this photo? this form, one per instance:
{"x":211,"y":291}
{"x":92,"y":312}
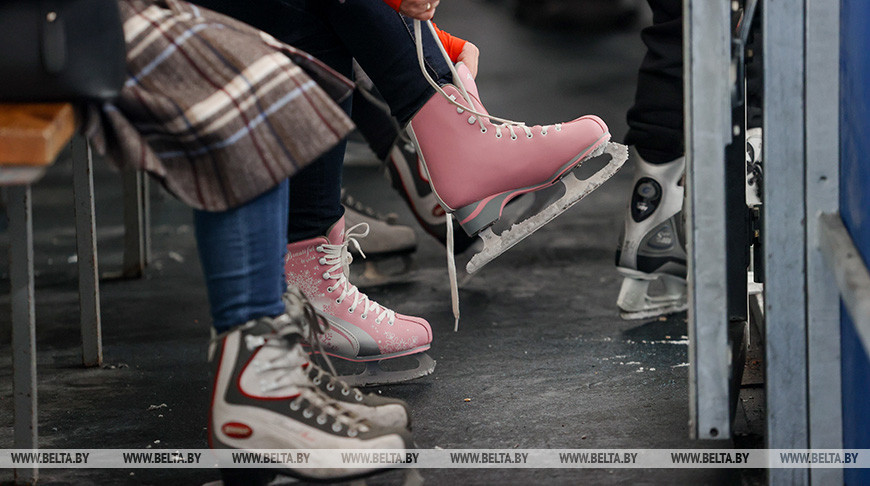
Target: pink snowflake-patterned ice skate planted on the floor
{"x":360,"y":330}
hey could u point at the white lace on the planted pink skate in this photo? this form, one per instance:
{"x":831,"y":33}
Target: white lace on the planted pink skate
{"x":340,"y":258}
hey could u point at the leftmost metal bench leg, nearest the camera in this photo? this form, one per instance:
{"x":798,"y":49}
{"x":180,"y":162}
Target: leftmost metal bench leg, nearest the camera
{"x":23,"y":325}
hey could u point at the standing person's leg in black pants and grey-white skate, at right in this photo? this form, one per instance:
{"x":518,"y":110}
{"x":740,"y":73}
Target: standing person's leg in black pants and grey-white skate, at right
{"x":652,"y":246}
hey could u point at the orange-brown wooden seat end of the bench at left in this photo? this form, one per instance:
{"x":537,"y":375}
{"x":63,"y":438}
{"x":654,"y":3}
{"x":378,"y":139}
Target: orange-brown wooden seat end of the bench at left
{"x":33,"y":134}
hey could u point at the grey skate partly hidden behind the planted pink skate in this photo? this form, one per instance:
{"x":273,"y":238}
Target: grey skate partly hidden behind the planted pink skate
{"x":387,"y":250}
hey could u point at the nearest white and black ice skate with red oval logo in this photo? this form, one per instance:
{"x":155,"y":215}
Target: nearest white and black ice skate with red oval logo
{"x":263,"y":398}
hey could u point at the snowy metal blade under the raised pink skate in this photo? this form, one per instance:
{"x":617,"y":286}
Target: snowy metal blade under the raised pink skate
{"x":575,"y":190}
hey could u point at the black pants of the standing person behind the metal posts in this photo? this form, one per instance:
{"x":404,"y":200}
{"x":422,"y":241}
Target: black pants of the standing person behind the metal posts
{"x":656,"y":119}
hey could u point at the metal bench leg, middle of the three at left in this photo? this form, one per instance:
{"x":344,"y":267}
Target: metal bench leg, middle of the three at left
{"x":86,"y":244}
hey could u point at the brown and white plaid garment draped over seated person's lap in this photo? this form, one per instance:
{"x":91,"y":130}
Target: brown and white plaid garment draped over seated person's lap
{"x":216,"y":109}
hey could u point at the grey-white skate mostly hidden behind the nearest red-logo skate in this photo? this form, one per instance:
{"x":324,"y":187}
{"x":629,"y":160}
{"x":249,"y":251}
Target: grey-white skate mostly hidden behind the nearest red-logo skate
{"x":380,"y":411}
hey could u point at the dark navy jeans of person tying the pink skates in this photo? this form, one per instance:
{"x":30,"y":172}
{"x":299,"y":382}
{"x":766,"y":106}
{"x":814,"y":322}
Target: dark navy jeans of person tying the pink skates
{"x":336,"y":32}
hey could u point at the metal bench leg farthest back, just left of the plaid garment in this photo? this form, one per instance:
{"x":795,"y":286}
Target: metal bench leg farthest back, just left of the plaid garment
{"x":137,"y":216}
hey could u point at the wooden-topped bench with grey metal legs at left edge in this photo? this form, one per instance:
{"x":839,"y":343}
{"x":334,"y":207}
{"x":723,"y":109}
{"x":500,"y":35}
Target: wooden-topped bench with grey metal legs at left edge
{"x":31,"y":137}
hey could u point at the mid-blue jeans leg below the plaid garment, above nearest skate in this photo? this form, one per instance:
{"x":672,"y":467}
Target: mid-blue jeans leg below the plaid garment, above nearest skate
{"x":242,"y":255}
